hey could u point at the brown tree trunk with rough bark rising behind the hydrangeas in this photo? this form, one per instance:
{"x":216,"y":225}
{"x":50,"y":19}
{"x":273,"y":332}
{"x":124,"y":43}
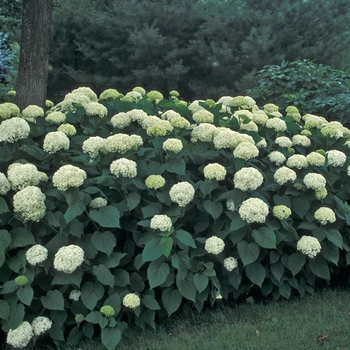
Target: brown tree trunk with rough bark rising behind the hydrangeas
{"x":34,"y":56}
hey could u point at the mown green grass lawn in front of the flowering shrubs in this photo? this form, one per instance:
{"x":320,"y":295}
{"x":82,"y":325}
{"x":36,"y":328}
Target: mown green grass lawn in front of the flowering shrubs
{"x":321,"y":321}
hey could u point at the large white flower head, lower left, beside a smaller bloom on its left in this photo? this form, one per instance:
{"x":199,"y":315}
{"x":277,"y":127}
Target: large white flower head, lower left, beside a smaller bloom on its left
{"x":68,"y":258}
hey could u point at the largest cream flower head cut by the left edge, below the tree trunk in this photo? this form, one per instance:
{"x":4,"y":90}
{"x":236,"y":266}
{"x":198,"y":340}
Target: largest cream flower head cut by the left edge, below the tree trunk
{"x":14,"y":129}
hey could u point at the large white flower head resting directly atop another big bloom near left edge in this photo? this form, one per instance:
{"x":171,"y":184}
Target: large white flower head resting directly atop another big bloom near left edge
{"x":23,"y":175}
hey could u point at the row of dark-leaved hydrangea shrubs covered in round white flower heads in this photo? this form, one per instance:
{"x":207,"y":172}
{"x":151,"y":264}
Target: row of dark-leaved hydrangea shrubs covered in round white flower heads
{"x":119,"y":210}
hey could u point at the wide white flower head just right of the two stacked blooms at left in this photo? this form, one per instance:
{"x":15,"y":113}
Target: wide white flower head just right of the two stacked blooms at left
{"x":68,"y":176}
